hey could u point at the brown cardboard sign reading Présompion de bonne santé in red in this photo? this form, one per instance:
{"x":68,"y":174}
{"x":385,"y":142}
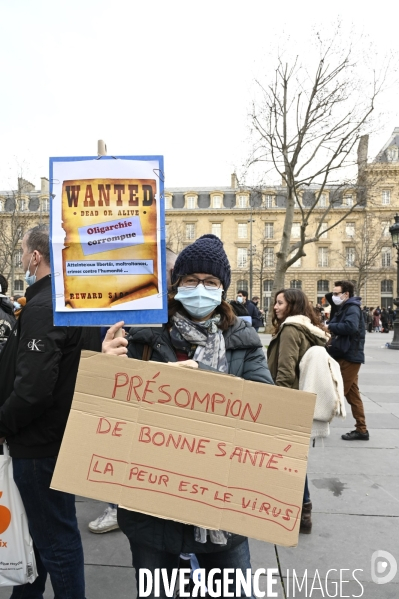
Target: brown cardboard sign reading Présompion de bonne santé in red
{"x":202,"y":448}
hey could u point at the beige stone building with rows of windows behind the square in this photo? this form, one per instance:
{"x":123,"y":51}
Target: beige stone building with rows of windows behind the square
{"x":250,"y":225}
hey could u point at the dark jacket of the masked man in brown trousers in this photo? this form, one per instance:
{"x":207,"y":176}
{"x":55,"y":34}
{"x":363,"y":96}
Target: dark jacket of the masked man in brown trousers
{"x":348,"y":321}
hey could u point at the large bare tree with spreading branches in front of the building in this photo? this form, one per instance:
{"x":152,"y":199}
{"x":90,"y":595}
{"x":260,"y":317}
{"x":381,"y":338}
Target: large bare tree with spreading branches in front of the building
{"x":306,"y":128}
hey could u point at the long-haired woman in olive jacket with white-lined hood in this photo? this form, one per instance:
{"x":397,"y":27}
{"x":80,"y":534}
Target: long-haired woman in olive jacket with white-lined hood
{"x":297,"y":327}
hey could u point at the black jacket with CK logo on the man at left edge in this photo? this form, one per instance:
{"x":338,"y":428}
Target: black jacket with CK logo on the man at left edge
{"x":38,"y":369}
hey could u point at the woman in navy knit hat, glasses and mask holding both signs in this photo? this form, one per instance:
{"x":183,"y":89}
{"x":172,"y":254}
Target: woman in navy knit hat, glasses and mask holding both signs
{"x":202,"y":332}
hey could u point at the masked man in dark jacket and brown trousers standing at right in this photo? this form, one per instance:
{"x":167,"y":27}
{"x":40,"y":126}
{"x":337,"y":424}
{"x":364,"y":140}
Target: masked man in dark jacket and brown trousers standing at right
{"x":347,"y":348}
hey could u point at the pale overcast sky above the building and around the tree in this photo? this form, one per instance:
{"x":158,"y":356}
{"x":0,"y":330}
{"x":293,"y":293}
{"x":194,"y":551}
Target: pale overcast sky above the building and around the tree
{"x":164,"y":77}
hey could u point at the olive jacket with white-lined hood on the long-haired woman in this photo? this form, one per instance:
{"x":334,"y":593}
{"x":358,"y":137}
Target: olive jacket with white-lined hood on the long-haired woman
{"x":287,"y":348}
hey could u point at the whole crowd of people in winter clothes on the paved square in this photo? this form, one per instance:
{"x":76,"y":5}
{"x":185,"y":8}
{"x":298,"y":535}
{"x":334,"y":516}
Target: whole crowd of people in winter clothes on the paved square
{"x":38,"y":369}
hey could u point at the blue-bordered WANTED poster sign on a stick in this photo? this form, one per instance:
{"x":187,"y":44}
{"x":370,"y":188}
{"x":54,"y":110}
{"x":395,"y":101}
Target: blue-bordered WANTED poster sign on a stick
{"x":107,"y":240}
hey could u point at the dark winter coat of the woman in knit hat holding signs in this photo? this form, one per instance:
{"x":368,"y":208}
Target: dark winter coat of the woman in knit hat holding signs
{"x":245,"y":359}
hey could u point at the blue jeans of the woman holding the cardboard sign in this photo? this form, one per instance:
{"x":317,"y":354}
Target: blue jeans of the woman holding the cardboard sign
{"x":145,"y":557}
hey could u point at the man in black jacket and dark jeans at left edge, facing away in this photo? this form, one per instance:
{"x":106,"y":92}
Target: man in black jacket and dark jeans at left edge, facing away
{"x":38,"y":369}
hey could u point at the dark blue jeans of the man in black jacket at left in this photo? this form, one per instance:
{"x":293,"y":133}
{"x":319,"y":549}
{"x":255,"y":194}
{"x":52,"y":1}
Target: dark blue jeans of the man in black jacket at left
{"x":54,"y":530}
